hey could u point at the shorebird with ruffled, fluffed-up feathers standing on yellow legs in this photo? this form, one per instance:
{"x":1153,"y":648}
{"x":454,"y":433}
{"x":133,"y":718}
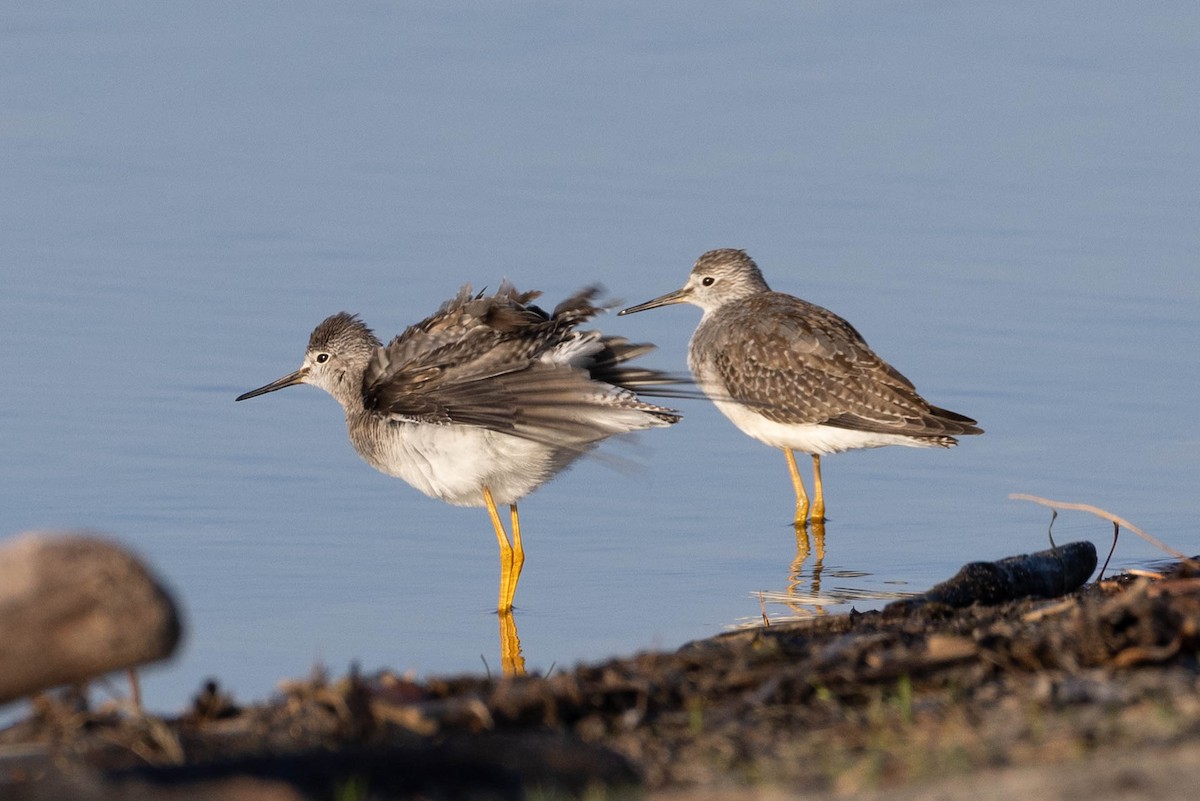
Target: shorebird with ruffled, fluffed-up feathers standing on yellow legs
{"x":485,"y":401}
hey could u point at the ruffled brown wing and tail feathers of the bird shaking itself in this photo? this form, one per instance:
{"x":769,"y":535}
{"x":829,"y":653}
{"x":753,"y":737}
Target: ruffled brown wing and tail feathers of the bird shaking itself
{"x":502,"y":364}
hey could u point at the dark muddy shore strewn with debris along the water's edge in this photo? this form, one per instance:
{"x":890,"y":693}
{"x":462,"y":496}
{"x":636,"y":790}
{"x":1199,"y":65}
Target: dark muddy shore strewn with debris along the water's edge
{"x":1093,"y":695}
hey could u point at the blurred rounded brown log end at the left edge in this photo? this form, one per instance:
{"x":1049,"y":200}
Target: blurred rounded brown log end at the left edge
{"x":74,"y":607}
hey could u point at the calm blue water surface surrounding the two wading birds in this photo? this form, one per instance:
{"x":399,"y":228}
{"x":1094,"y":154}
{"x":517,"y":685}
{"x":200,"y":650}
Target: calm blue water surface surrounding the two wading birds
{"x":1004,"y":201}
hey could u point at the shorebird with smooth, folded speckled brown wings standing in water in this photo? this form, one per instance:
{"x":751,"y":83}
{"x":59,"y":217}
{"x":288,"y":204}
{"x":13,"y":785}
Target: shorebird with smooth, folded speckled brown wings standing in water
{"x":796,"y":376}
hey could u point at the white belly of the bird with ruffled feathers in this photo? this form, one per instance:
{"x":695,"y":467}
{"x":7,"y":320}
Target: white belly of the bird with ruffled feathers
{"x":454,"y":463}
